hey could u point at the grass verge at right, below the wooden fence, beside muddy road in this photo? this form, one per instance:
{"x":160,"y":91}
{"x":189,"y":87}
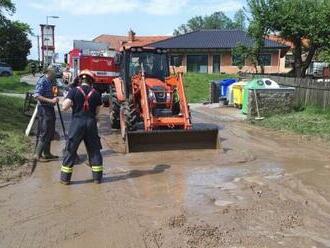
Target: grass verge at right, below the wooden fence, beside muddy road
{"x":309,"y":121}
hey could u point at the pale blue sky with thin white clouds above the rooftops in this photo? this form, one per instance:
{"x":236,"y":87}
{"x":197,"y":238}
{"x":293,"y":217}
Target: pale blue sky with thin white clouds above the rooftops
{"x":86,"y":19}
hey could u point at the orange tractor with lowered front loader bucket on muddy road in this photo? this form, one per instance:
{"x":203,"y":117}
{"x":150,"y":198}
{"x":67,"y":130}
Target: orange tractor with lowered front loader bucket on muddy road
{"x":150,"y":107}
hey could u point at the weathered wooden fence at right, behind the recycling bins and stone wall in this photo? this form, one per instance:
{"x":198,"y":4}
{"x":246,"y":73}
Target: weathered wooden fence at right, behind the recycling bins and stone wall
{"x":308,"y":91}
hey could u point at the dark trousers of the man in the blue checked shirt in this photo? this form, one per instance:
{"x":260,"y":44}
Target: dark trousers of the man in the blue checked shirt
{"x":46,"y":127}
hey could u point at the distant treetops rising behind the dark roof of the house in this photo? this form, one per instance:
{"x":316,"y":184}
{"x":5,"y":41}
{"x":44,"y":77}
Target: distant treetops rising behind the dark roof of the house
{"x":217,"y":20}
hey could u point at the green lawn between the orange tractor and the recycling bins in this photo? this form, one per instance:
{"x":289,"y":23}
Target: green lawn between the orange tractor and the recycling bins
{"x":197,"y":85}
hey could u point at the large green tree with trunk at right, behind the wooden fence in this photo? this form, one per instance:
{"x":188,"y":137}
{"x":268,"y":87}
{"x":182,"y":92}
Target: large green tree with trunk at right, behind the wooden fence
{"x":296,"y":21}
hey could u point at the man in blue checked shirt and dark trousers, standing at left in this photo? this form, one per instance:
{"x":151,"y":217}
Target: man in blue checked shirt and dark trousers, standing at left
{"x":44,"y":93}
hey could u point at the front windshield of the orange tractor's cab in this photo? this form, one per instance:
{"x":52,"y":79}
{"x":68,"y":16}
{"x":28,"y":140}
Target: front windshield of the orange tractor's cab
{"x":153,"y":64}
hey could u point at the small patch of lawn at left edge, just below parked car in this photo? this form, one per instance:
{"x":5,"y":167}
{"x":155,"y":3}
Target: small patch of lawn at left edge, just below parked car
{"x":12,"y":84}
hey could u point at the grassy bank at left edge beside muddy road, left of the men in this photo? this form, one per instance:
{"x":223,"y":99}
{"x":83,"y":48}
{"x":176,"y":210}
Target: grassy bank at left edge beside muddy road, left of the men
{"x":13,"y":144}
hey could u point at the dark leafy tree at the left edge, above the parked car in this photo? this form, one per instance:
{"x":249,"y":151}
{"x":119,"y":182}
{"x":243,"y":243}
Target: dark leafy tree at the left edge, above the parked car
{"x":14,"y":43}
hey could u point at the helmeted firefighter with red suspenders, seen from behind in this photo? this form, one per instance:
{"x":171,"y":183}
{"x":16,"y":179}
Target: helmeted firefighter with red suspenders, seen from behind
{"x":85,"y":102}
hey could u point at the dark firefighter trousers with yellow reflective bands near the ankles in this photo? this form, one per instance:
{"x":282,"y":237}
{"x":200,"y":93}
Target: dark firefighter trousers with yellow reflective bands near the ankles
{"x":83,"y":128}
